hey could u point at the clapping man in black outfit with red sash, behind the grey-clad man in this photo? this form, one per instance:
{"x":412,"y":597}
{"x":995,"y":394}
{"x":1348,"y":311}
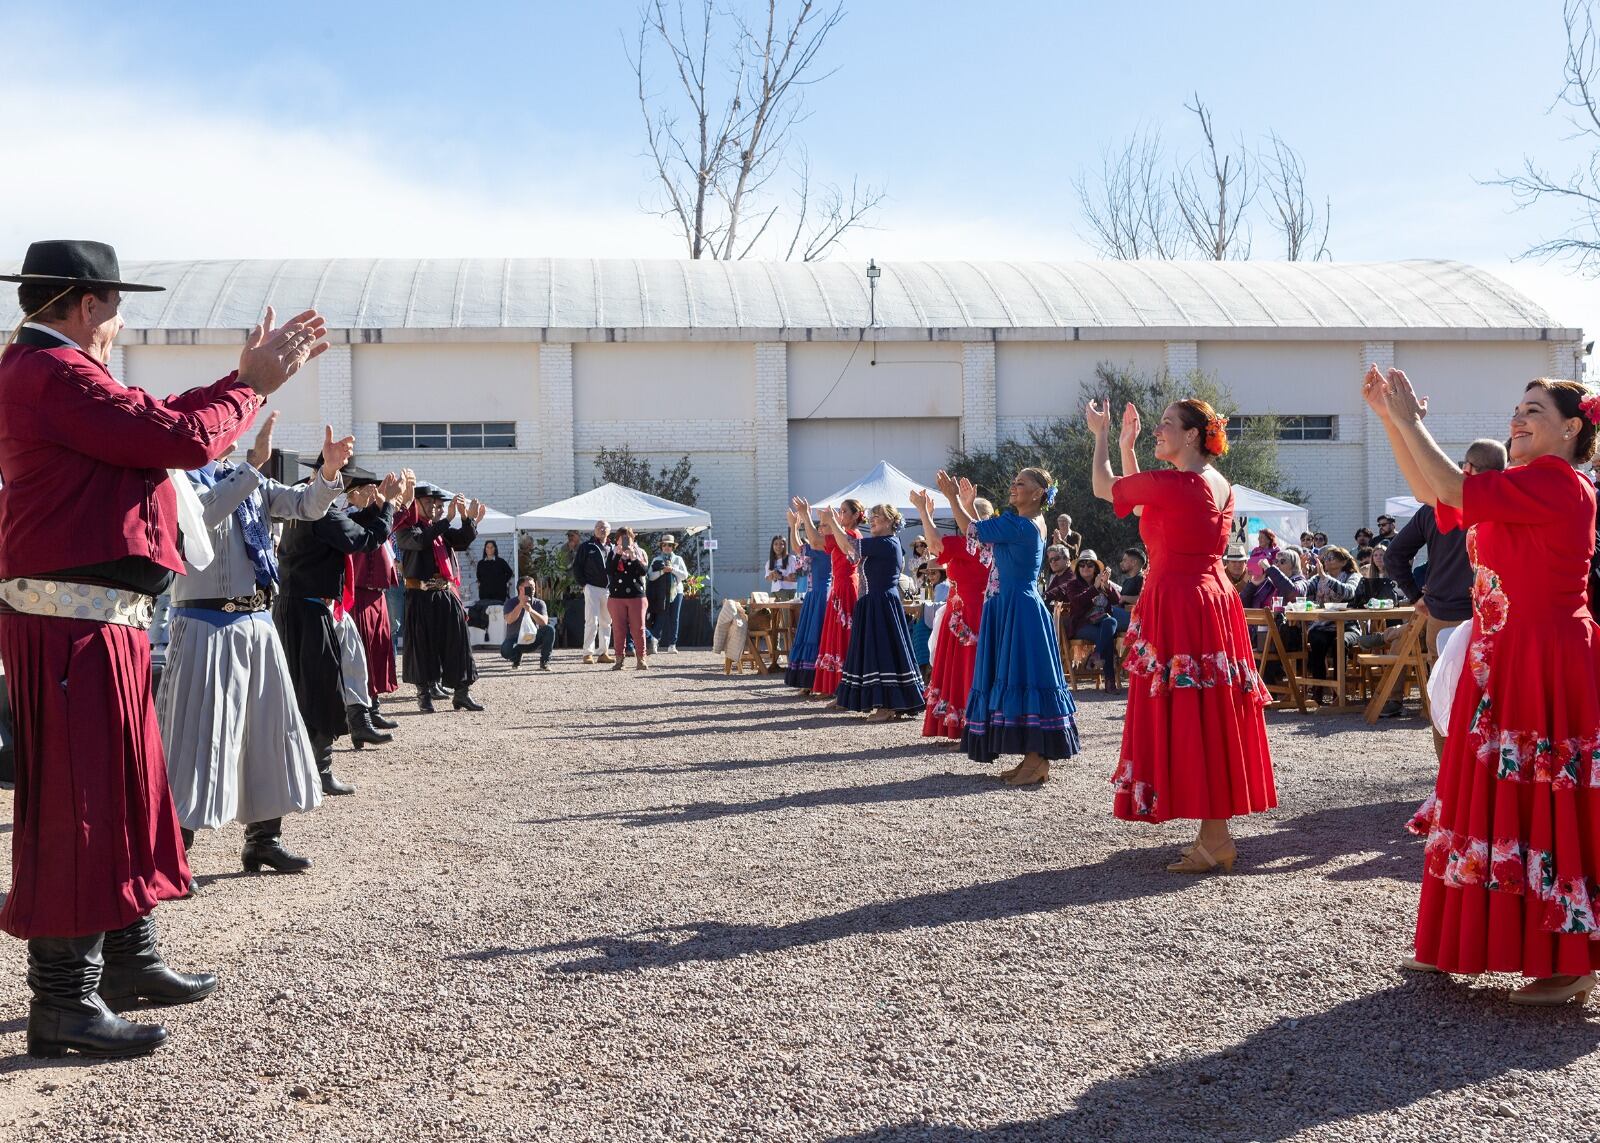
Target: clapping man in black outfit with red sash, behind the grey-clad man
{"x":313,"y":564}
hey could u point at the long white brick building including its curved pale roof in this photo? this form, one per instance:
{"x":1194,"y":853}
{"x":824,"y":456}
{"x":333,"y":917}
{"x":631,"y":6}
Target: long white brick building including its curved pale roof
{"x":503,"y":379}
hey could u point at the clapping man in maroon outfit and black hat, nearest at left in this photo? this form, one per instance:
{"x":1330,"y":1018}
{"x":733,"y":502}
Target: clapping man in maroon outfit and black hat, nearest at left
{"x":89,"y":537}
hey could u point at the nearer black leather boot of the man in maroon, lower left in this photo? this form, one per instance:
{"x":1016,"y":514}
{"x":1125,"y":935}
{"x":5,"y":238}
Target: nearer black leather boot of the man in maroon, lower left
{"x":66,"y":1014}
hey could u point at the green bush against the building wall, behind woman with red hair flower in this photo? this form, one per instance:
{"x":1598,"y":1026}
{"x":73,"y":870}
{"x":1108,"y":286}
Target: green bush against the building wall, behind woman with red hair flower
{"x":1065,"y":447}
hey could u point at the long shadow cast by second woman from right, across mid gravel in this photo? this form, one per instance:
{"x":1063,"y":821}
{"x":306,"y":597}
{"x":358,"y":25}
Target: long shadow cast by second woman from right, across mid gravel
{"x":1119,"y":878}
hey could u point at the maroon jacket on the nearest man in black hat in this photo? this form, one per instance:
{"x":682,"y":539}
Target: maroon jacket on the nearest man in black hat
{"x":84,"y":460}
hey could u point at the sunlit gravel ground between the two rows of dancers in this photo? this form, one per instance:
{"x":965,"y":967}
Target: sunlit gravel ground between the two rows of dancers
{"x":705,"y":910}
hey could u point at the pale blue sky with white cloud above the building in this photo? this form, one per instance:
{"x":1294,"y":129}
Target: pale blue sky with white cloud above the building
{"x":487,"y":129}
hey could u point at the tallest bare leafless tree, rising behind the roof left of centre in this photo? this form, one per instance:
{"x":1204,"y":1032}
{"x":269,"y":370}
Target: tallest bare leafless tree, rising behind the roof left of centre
{"x":721,"y":138}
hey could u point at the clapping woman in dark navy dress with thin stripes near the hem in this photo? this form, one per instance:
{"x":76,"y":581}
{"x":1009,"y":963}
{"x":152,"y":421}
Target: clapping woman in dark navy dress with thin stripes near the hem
{"x":881,"y":668}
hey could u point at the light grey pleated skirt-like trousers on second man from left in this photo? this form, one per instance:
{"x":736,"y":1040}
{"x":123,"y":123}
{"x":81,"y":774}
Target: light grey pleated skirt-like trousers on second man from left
{"x":236,"y":744}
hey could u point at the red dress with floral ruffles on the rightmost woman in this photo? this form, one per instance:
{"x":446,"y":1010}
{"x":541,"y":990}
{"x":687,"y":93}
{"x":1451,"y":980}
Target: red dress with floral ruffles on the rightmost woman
{"x":1513,"y":827}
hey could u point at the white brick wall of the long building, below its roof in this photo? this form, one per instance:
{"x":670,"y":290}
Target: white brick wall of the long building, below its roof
{"x":764,"y":420}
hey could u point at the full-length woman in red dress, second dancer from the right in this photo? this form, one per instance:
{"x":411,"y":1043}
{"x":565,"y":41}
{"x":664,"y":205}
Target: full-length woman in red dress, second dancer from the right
{"x":1194,"y":744}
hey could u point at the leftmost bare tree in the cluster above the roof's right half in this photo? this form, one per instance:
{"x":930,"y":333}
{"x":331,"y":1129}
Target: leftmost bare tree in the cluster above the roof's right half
{"x":1129,"y":207}
